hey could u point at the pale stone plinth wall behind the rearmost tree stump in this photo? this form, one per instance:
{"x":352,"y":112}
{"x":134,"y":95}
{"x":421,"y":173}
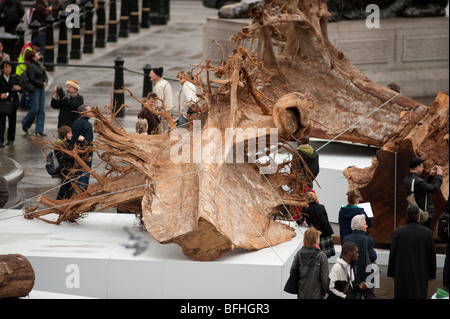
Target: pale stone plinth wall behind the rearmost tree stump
{"x":412,"y":52}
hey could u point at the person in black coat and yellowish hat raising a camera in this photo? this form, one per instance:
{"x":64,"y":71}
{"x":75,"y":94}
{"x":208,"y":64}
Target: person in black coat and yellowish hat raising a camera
{"x":67,"y":103}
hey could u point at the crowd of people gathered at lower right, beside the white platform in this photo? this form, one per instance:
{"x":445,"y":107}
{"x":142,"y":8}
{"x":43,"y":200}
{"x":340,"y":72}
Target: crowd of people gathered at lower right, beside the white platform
{"x":412,"y":255}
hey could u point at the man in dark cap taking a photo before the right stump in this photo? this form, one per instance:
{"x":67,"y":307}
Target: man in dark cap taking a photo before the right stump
{"x":423,"y":187}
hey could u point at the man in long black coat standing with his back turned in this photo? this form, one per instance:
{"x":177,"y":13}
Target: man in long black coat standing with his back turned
{"x":412,"y":258}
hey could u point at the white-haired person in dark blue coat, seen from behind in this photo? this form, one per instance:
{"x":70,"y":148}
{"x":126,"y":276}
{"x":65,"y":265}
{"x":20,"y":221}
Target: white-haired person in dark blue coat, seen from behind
{"x":366,"y":252}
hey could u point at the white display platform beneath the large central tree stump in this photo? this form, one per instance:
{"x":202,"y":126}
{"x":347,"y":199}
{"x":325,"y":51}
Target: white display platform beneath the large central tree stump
{"x":88,"y":258}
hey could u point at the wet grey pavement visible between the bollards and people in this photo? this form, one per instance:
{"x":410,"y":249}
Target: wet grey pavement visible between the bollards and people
{"x":175,"y":46}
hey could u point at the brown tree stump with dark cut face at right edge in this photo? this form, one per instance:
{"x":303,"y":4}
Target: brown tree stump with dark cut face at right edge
{"x":423,"y":133}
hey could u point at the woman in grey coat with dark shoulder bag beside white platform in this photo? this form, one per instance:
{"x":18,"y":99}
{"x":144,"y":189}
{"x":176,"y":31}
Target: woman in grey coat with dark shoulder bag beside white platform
{"x":313,"y":266}
